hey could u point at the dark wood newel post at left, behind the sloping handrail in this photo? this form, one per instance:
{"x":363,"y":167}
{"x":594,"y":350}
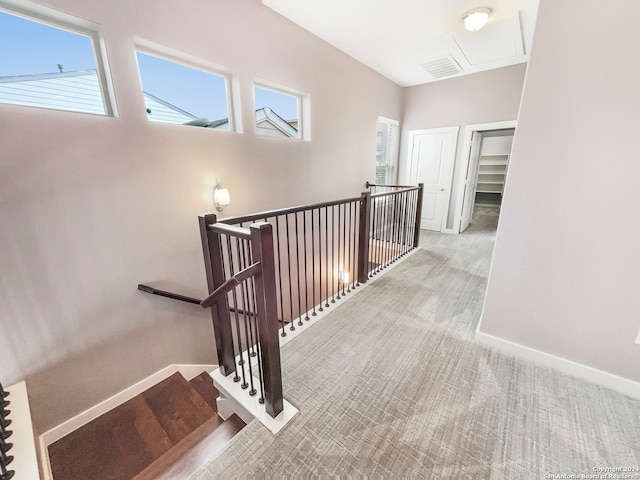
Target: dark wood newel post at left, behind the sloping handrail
{"x":215,"y":277}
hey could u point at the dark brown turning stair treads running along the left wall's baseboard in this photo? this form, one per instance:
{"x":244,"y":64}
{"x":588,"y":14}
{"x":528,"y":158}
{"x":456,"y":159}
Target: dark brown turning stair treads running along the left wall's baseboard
{"x":126,"y":440}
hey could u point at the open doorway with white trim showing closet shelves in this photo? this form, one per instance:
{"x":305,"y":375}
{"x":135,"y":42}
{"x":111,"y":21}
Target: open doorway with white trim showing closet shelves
{"x":489,"y":148}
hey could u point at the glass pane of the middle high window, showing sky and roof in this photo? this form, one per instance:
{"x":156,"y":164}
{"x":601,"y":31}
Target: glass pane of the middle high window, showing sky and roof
{"x":179,"y":94}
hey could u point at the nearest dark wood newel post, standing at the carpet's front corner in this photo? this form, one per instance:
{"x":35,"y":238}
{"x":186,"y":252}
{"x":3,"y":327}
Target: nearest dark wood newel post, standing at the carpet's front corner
{"x":267,"y":310}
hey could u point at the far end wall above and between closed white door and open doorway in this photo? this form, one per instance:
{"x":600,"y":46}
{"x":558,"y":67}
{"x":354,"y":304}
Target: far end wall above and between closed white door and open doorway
{"x":486,"y":97}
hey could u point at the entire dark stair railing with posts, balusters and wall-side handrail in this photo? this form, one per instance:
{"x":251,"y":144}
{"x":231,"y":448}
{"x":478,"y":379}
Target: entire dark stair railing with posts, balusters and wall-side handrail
{"x":271,"y":272}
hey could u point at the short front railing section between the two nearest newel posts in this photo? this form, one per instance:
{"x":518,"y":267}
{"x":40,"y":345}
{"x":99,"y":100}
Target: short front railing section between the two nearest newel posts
{"x":244,"y":277}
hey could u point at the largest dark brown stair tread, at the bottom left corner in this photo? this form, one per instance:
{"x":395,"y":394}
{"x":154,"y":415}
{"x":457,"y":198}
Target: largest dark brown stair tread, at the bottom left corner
{"x":108,"y":447}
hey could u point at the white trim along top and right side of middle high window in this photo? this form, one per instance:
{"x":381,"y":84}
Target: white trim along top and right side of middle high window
{"x":231,"y":77}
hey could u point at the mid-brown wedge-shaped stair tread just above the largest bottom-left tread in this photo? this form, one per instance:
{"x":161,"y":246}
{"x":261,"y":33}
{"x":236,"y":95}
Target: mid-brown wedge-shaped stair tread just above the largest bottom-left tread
{"x":178,"y":406}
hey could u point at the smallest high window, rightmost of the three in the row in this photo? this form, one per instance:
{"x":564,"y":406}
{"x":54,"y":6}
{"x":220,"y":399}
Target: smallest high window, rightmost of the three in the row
{"x":279,"y":112}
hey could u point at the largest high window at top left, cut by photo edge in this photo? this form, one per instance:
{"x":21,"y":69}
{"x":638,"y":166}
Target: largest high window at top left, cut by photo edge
{"x":52,"y":64}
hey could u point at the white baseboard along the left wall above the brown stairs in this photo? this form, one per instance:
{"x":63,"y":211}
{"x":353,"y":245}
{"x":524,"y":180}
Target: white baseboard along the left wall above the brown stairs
{"x":56,"y":433}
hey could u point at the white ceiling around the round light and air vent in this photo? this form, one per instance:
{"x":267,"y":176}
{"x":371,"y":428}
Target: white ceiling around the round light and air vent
{"x":396,"y":37}
